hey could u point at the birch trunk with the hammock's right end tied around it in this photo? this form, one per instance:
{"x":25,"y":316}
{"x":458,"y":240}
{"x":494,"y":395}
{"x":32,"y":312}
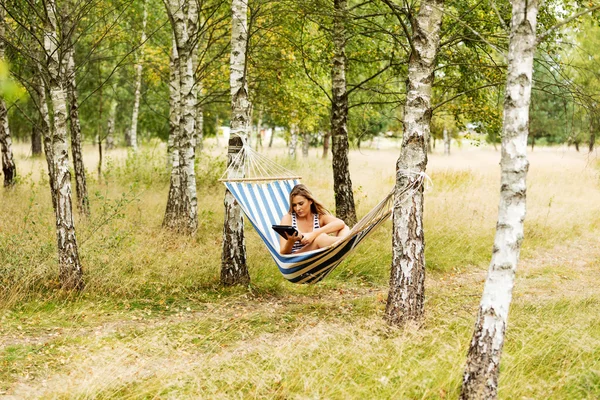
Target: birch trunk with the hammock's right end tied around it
{"x":407,"y":281}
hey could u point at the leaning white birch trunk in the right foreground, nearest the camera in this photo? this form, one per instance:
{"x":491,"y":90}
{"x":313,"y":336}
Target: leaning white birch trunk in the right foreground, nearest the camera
{"x":480,"y":380}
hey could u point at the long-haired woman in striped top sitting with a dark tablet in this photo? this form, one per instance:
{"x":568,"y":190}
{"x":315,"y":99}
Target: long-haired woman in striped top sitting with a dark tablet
{"x":313,"y":222}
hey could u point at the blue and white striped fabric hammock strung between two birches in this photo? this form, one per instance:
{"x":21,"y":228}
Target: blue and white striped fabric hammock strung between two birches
{"x":262,"y":188}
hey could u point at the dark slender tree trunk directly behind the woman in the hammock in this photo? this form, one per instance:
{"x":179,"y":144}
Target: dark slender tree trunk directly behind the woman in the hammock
{"x":342,"y":184}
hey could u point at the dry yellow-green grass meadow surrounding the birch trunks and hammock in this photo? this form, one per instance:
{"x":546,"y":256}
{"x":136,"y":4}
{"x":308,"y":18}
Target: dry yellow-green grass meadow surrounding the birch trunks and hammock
{"x":154,"y":322}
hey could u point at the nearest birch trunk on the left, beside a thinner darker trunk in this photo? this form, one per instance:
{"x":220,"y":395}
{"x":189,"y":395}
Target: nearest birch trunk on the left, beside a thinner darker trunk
{"x":71,"y":272}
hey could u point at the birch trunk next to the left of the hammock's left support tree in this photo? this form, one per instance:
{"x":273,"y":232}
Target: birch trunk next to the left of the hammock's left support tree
{"x":182,"y":204}
